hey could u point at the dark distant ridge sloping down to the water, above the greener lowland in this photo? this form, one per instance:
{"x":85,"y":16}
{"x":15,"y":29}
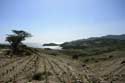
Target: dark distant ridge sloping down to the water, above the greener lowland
{"x":107,"y":41}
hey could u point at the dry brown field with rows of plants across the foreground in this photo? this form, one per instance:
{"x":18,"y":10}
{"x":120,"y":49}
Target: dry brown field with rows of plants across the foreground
{"x":44,"y":68}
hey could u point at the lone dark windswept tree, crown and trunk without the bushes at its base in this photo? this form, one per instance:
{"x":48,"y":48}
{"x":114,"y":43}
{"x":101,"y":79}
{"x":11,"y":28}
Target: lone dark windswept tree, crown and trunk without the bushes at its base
{"x":16,"y":39}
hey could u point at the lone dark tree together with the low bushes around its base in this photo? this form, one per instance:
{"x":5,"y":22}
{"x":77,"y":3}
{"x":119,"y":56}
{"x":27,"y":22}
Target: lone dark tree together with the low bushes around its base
{"x":15,"y":43}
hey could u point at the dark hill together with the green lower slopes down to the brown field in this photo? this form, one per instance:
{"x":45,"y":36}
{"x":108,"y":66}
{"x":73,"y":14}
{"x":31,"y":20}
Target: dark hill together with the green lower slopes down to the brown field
{"x":93,"y":46}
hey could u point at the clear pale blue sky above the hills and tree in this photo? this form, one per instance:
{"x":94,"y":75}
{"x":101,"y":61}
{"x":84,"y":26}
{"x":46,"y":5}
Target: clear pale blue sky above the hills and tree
{"x":62,"y":20}
